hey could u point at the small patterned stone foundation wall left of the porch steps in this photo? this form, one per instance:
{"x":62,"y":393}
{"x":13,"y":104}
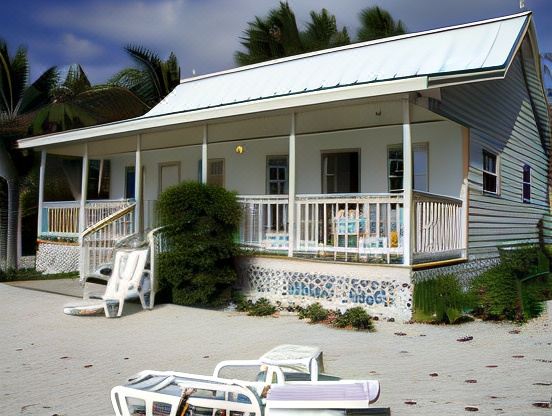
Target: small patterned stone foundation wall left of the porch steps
{"x":52,"y":257}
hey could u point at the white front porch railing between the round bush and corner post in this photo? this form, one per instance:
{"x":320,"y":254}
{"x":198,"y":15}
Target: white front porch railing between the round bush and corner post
{"x":358,"y":227}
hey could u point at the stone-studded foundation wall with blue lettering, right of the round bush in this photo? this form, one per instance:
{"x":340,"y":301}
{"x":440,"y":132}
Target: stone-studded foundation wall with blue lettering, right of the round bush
{"x":384,"y":291}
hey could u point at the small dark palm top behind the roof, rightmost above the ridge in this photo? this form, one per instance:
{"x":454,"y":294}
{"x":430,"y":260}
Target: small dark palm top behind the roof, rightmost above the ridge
{"x":378,"y":23}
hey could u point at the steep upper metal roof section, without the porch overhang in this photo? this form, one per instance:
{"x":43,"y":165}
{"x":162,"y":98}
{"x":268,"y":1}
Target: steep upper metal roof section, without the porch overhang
{"x":475,"y":47}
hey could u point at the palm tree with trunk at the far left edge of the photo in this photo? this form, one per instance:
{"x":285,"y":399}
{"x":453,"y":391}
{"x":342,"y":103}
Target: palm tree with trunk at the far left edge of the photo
{"x":18,"y":103}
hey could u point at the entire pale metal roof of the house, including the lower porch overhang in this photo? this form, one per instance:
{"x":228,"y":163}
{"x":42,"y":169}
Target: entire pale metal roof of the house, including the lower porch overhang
{"x":401,"y":64}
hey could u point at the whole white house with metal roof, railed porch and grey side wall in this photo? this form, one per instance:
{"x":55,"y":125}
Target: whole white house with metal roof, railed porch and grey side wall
{"x":360,"y":169}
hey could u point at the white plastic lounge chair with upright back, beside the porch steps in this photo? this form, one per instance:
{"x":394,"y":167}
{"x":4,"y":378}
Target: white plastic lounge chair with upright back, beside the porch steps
{"x":127,"y":278}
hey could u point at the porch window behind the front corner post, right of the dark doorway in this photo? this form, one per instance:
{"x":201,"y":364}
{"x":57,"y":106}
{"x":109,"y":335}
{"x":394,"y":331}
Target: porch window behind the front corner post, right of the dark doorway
{"x":421,"y":167}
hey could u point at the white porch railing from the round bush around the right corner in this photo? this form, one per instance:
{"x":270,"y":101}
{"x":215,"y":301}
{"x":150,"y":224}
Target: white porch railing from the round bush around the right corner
{"x":354,"y":227}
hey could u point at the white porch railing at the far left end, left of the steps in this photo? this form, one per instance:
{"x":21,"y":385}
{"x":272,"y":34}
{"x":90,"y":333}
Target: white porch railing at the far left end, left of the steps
{"x":61,"y":219}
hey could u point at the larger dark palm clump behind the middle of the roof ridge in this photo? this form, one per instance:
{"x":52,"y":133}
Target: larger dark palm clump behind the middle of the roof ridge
{"x":277,"y":35}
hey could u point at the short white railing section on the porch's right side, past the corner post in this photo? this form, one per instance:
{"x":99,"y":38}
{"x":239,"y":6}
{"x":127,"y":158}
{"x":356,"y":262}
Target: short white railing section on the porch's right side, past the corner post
{"x":438,"y":227}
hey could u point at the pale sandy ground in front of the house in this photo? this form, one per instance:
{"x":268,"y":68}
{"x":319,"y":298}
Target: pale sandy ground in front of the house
{"x":53,"y":364}
